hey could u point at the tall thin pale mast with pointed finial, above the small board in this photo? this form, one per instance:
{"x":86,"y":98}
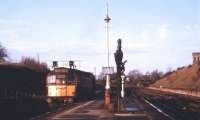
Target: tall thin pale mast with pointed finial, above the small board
{"x":107,"y":20}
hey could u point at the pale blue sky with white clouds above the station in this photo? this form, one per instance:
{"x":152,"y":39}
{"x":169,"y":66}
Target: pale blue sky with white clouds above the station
{"x":156,"y":34}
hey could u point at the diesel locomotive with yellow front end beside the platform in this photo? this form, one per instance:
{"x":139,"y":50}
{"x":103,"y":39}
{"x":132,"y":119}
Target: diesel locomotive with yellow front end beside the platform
{"x":69,"y":84}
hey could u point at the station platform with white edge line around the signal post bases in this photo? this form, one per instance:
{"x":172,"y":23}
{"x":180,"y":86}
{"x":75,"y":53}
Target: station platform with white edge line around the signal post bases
{"x":94,"y":110}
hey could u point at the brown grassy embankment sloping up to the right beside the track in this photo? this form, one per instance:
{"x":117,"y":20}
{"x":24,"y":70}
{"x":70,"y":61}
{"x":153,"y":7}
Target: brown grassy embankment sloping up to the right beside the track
{"x":186,"y":78}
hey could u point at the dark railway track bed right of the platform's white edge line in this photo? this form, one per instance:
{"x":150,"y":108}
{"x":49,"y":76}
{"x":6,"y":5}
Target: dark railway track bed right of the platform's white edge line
{"x":173,"y":106}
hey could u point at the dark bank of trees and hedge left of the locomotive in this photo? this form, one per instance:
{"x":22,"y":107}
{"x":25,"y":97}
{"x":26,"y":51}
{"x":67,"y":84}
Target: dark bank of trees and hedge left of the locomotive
{"x":24,"y":78}
